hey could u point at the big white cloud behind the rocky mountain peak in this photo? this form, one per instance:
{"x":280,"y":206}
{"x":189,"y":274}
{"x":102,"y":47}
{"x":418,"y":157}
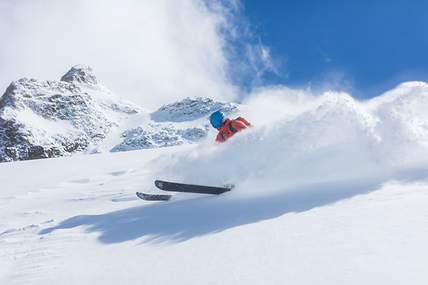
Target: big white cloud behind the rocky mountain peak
{"x":150,"y":51}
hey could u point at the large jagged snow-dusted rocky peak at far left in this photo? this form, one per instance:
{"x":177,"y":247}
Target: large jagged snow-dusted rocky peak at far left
{"x":41,"y":119}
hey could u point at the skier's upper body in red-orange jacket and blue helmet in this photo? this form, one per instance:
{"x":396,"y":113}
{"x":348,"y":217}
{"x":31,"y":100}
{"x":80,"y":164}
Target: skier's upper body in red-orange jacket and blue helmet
{"x":227,"y":127}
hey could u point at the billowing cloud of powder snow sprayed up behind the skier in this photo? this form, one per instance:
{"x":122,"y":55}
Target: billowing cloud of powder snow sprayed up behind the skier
{"x":300,"y":139}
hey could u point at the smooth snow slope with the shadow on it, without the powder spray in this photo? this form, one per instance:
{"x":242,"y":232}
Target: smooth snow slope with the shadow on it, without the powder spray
{"x":76,"y":221}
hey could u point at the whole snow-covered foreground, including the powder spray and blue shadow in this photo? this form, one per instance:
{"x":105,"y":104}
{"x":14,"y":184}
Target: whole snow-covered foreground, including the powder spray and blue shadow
{"x":329,"y":190}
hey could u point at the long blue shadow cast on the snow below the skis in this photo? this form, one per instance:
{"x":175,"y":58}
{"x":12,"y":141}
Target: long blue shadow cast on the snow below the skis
{"x":185,"y":219}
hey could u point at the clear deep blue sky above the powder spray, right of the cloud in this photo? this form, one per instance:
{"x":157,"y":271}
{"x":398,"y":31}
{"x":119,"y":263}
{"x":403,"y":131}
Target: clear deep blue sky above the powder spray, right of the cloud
{"x":364,"y":47}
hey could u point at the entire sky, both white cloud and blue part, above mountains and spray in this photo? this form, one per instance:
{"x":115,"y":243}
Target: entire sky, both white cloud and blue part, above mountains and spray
{"x":363,"y":47}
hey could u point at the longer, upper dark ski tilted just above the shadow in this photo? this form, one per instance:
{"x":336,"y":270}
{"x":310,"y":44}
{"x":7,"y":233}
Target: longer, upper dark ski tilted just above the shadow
{"x":191,"y":188}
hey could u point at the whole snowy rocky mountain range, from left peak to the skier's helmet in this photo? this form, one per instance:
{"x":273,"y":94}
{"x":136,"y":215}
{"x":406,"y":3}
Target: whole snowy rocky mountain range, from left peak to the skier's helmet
{"x":42,"y":119}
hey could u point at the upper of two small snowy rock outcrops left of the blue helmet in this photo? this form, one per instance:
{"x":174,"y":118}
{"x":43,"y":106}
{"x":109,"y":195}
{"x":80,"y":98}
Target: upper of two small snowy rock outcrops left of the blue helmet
{"x":191,"y":109}
